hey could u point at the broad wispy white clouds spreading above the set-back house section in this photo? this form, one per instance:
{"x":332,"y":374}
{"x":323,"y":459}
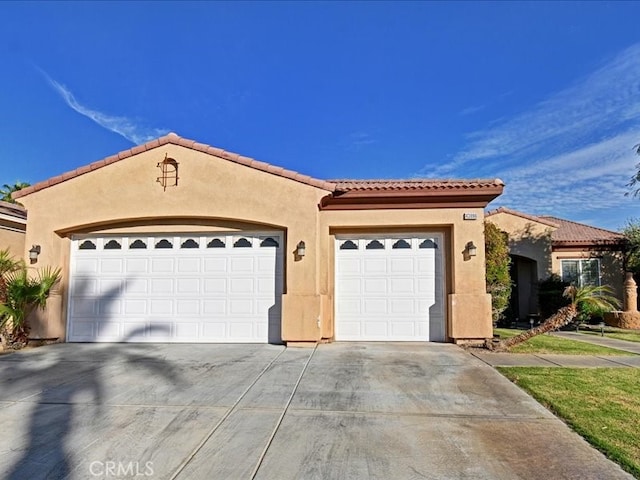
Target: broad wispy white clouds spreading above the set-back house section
{"x":571,"y":153}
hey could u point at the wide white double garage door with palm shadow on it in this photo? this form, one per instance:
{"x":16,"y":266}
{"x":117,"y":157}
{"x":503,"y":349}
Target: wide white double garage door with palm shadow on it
{"x":176,"y":288}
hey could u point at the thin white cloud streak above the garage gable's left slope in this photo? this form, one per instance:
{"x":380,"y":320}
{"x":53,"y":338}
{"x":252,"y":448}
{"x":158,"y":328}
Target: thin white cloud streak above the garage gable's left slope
{"x":124,"y":126}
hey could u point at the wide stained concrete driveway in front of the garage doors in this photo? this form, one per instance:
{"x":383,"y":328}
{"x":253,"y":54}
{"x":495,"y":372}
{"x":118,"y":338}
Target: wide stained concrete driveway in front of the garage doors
{"x":341,"y":411}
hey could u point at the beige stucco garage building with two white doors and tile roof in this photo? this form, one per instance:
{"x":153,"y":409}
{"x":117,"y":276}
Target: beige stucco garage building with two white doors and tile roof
{"x":177,"y":241}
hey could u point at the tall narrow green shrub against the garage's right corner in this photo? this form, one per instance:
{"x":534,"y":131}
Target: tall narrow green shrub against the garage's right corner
{"x":497,"y":269}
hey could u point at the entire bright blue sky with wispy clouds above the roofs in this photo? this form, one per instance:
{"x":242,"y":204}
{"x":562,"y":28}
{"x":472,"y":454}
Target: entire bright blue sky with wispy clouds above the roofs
{"x":545,"y":96}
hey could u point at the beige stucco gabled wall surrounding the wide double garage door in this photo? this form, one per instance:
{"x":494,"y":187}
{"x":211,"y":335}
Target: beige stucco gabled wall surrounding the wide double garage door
{"x":212,"y":193}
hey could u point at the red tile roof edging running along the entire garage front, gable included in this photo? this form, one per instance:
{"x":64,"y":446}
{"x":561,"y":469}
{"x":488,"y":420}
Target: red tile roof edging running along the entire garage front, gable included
{"x":331,"y":186}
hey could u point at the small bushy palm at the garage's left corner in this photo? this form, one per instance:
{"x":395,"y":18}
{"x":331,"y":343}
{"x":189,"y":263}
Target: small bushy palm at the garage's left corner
{"x":22,"y":295}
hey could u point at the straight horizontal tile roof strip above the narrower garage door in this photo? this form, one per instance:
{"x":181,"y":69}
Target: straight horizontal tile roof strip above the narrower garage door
{"x":414,"y":184}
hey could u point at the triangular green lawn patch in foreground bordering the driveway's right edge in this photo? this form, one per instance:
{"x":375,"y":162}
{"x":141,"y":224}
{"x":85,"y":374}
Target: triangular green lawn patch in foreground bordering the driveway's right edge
{"x":601,"y":404}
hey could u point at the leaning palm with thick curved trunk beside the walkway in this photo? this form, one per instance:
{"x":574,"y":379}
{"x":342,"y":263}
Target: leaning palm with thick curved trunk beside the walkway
{"x":595,"y":298}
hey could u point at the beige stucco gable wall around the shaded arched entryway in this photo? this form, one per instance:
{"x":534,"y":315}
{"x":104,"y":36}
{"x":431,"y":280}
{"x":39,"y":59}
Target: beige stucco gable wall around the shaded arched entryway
{"x":528,"y":239}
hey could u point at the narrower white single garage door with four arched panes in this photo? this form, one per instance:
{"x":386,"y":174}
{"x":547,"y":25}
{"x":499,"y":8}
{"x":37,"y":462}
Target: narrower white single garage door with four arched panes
{"x":390,"y":288}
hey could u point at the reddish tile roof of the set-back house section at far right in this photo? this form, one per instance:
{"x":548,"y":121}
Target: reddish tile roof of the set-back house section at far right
{"x":567,"y":232}
